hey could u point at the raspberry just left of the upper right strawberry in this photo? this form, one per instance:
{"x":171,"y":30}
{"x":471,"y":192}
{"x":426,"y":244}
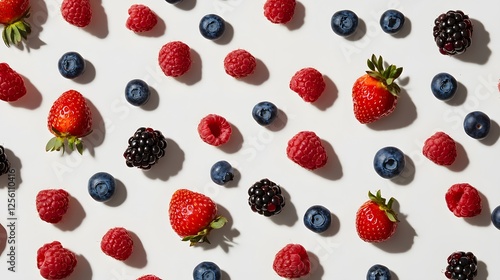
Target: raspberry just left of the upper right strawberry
{"x":308,"y":83}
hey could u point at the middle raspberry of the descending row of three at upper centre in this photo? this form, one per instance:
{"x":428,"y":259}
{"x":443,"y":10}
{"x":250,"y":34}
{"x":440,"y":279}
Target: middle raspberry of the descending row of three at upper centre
{"x":239,"y":63}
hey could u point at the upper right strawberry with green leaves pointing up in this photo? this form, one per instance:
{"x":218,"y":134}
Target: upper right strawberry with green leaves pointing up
{"x":375,"y":94}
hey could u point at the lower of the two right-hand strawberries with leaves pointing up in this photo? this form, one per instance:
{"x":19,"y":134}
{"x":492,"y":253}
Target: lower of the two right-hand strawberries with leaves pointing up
{"x":376,"y":221}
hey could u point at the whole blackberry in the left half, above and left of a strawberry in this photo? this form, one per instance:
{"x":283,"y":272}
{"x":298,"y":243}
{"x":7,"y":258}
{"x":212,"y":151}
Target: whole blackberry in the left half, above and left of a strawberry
{"x":145,"y":148}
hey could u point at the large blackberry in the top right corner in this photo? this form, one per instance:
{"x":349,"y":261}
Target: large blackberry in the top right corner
{"x":452,"y":32}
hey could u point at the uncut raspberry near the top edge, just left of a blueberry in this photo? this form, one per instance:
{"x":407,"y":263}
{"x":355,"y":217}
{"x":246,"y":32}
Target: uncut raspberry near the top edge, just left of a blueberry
{"x":140,"y":18}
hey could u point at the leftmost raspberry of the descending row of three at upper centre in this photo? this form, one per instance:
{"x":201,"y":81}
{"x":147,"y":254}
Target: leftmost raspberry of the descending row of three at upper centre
{"x":175,"y":58}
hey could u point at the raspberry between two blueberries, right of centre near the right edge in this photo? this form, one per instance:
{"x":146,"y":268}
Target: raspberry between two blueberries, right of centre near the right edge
{"x":440,"y":148}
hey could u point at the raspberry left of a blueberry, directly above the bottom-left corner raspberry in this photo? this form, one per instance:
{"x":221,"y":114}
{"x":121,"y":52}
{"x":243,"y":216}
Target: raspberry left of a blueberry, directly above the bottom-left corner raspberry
{"x":52,"y":204}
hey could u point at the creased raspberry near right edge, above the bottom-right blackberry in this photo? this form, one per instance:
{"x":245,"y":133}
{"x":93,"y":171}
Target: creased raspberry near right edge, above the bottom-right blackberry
{"x":463,"y":200}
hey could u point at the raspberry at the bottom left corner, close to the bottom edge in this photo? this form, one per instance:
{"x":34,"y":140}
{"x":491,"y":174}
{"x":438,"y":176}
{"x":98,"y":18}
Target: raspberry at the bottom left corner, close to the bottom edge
{"x":55,"y":261}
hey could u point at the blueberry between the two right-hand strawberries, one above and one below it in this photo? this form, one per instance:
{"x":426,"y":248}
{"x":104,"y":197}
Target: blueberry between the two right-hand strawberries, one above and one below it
{"x":389,"y":162}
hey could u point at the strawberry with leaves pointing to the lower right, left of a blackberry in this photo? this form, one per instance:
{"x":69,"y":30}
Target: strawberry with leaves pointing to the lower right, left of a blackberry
{"x":193,"y":215}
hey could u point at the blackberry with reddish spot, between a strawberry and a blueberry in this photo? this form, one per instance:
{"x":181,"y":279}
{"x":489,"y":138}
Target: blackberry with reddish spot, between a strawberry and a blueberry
{"x":265,"y":198}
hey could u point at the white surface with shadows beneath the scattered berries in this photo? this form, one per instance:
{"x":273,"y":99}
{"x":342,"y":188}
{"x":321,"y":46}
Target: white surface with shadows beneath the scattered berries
{"x":245,"y":248}
